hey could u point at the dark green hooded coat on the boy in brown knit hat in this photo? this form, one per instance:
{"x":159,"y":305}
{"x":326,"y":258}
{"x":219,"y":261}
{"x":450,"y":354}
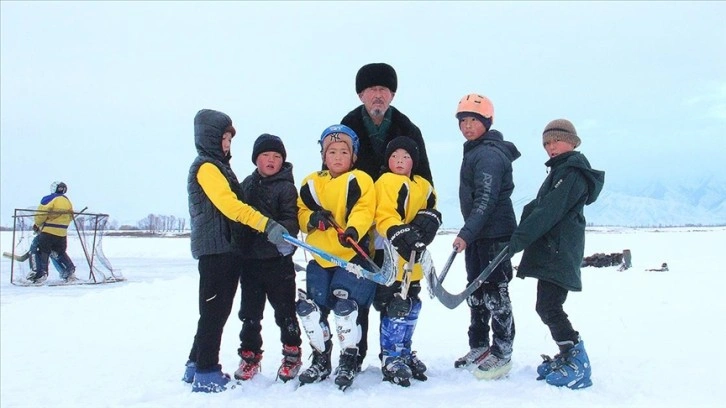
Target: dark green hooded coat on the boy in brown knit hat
{"x":552,"y":229}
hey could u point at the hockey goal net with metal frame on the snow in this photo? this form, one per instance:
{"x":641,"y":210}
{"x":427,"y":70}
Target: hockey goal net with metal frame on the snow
{"x":85,"y":249}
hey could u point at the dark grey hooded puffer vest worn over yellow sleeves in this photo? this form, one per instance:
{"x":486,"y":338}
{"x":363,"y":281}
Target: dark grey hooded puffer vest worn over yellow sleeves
{"x":210,"y":228}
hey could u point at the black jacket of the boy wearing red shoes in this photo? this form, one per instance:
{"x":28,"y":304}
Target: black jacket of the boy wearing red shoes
{"x":275,"y":197}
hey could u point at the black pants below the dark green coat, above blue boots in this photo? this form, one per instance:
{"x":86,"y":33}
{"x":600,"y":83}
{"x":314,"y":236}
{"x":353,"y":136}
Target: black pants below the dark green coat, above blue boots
{"x":550,"y":301}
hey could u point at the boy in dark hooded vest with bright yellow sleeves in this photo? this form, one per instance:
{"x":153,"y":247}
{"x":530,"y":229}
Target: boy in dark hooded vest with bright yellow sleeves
{"x":213,"y":205}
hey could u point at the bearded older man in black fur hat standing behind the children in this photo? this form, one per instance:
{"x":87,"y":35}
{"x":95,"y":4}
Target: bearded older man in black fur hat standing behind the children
{"x":376,"y":123}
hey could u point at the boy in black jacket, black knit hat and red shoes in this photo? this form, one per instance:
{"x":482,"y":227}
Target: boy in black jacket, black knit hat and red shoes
{"x":267,"y":270}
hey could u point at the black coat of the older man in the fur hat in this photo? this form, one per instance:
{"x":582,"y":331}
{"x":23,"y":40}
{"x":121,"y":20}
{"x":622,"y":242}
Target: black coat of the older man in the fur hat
{"x":375,"y":163}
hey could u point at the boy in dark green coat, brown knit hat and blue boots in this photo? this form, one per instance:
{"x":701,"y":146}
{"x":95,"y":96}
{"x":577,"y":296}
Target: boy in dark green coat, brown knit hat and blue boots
{"x":552,"y":234}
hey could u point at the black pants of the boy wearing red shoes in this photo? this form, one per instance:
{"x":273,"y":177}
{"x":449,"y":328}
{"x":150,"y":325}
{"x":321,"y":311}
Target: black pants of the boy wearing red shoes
{"x":272,"y":280}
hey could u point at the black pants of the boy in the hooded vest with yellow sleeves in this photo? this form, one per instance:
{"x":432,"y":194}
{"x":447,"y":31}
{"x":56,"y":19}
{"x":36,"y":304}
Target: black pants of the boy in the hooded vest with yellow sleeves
{"x":218,"y":280}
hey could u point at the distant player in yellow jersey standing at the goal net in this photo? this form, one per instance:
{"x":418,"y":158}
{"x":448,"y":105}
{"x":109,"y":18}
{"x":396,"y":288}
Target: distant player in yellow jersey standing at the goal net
{"x":54,"y":214}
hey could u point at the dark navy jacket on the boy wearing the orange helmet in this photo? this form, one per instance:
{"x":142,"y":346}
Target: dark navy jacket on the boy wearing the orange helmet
{"x":485,"y":188}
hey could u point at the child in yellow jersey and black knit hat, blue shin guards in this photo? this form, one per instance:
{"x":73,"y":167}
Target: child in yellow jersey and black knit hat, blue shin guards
{"x":406,"y":214}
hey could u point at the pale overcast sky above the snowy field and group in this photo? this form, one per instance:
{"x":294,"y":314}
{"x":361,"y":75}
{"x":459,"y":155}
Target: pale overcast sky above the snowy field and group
{"x":102,"y":95}
